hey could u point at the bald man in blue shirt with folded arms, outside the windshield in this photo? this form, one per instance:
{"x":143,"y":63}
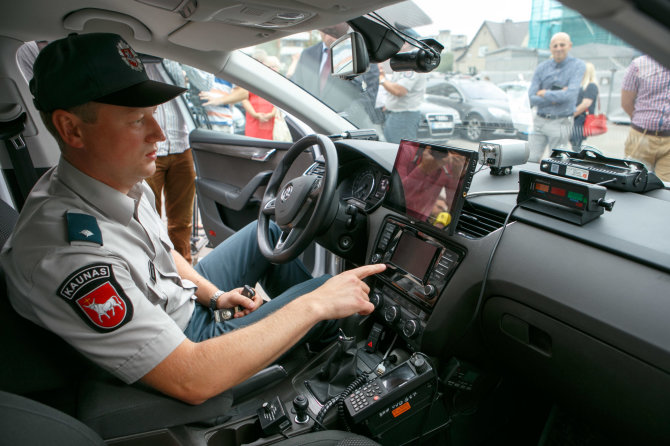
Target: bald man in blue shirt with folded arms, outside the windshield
{"x":553,"y":92}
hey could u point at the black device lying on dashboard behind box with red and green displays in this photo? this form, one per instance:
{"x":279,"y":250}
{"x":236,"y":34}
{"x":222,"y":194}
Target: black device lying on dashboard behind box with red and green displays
{"x":592,"y":167}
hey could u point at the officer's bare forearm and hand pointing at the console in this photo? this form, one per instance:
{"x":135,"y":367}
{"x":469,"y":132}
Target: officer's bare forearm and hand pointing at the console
{"x":195,"y":372}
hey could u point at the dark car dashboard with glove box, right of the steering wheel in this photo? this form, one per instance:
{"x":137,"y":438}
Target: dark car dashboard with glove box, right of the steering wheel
{"x":570,"y":309}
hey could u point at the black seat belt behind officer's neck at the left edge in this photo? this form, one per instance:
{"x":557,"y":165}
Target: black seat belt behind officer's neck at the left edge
{"x":12,"y":125}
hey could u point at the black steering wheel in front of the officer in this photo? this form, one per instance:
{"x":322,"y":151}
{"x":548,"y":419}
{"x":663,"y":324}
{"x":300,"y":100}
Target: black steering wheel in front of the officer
{"x":301,"y":206}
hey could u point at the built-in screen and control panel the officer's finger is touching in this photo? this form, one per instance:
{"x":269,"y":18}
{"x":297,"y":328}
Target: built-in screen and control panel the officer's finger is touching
{"x":419,"y":267}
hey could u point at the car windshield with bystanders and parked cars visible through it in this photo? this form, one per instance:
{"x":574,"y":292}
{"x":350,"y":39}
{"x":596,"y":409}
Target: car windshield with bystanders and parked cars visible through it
{"x":503,"y":50}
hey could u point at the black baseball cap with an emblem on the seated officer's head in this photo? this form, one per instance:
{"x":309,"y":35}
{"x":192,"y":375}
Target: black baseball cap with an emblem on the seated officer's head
{"x":98,"y":67}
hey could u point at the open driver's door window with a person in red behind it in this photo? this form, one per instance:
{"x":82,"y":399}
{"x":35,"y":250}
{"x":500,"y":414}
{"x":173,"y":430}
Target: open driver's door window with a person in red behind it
{"x":217,"y":104}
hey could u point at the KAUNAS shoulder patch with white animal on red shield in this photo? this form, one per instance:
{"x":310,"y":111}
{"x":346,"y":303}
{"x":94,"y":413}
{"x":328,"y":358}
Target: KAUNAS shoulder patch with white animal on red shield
{"x":96,"y":296}
